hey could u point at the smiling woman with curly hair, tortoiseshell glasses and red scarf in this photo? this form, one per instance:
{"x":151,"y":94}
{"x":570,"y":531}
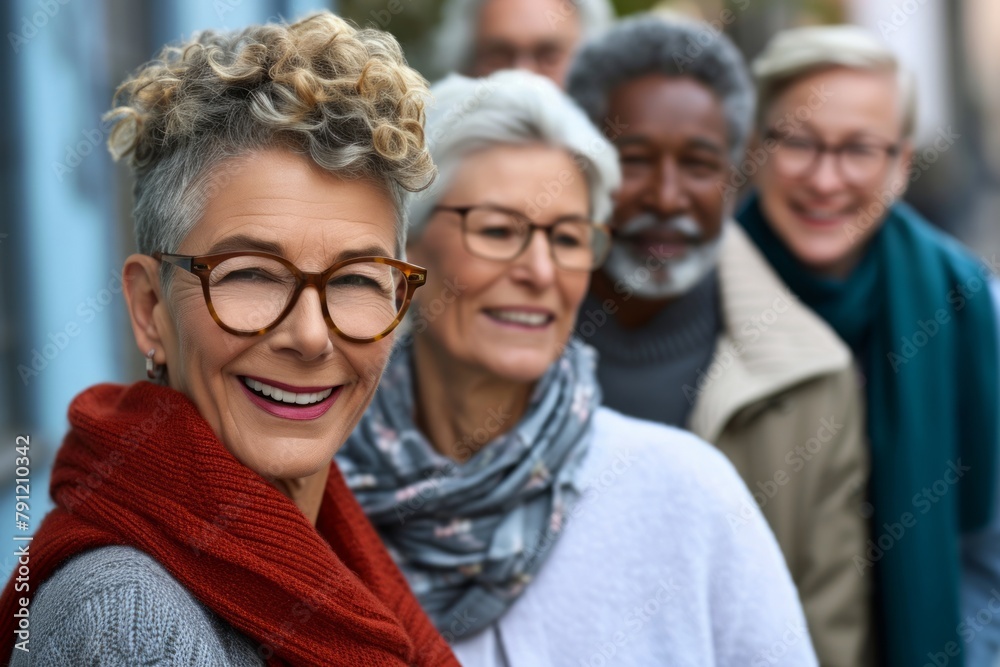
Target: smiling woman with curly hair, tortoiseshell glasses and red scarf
{"x":198,"y":518}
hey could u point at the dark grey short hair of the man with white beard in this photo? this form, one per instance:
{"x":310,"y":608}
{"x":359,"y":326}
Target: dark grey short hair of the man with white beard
{"x":654,"y":44}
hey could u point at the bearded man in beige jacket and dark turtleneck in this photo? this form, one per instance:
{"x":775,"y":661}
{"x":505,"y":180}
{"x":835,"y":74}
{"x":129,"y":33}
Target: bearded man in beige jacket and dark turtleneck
{"x":695,"y":330}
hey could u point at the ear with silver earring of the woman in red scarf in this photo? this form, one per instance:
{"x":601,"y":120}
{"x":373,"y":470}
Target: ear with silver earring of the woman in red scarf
{"x":146,"y":307}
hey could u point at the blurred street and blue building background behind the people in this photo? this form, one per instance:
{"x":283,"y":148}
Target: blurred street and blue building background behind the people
{"x":65,"y":227}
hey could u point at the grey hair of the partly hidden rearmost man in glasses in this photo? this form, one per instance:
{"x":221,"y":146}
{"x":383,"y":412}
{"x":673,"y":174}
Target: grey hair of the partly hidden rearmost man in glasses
{"x":455,"y":39}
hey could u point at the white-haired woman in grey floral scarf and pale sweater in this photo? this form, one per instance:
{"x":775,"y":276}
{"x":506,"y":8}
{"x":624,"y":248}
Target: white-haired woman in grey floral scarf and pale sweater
{"x":535,"y":526}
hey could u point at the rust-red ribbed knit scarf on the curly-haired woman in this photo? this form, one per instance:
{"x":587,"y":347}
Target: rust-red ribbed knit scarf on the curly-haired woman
{"x":141,"y":468}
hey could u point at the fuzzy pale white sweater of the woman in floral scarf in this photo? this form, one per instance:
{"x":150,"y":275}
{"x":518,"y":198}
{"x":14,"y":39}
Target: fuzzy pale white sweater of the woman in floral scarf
{"x":666,"y":561}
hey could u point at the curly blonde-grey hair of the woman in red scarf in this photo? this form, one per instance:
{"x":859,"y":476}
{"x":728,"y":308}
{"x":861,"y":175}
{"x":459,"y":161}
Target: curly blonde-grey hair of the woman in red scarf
{"x":343,"y":96}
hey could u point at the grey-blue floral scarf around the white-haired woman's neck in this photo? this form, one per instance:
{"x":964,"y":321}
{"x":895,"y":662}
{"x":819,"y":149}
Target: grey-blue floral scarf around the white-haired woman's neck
{"x":469,"y":536}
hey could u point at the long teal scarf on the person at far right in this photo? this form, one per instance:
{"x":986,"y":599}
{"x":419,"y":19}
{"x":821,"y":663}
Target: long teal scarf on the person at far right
{"x":918,"y":315}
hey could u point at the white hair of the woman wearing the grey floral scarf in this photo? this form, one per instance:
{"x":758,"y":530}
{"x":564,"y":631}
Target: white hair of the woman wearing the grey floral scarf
{"x":511,"y":107}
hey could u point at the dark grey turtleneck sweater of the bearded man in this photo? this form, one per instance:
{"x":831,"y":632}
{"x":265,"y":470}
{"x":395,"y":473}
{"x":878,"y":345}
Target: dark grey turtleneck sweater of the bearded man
{"x":643,"y":371}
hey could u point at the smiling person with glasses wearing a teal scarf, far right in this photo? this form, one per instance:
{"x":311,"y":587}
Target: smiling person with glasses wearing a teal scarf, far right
{"x":836,"y":119}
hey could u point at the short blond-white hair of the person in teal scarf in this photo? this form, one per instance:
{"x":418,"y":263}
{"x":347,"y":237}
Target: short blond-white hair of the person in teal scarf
{"x":799,"y":52}
